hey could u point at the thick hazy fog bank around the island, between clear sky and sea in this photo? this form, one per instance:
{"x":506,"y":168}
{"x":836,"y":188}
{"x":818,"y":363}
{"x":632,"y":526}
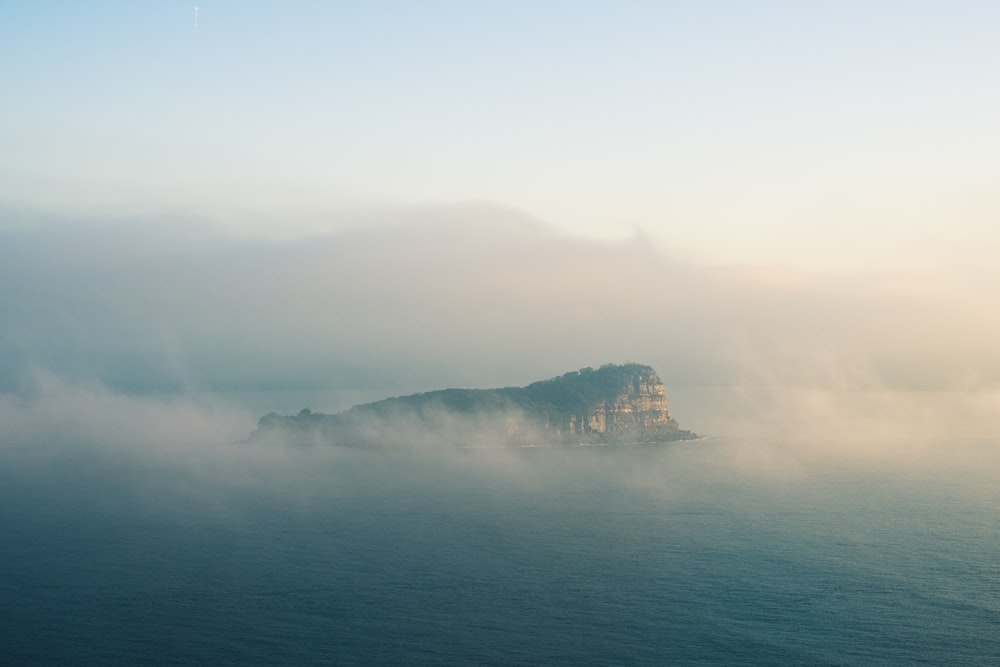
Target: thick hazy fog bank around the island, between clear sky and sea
{"x":173,"y":342}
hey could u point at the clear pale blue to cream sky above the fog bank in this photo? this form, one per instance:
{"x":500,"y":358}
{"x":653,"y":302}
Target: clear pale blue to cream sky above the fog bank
{"x":813,"y":134}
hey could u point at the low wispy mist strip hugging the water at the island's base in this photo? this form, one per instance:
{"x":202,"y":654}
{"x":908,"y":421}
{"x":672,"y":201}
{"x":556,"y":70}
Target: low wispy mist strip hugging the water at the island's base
{"x":187,"y":451}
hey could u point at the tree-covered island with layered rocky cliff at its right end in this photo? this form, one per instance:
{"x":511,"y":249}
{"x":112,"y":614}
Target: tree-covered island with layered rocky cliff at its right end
{"x":612,"y":404}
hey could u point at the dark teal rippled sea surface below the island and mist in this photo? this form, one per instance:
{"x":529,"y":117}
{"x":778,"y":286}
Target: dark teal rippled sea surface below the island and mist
{"x":702,"y":553}
